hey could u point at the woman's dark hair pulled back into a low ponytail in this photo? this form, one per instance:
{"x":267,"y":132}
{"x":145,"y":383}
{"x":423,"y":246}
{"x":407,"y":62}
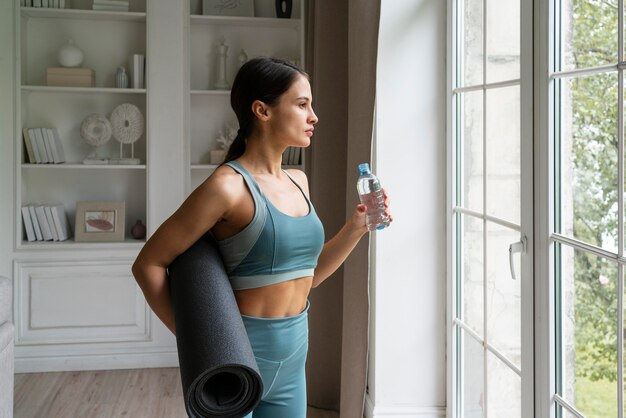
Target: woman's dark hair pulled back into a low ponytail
{"x":264,"y":79}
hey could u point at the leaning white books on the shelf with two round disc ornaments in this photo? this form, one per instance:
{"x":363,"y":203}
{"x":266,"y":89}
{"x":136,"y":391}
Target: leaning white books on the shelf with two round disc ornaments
{"x":43,"y":146}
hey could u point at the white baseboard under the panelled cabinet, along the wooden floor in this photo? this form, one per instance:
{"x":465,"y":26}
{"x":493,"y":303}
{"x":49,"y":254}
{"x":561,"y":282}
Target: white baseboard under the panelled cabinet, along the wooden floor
{"x":95,"y":362}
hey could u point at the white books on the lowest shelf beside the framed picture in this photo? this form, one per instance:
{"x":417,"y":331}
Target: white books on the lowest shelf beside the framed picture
{"x":46,"y":223}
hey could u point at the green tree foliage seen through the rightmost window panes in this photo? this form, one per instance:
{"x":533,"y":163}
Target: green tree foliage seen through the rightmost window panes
{"x":594,"y":42}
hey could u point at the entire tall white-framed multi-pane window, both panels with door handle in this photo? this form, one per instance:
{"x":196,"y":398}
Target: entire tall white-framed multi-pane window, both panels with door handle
{"x":537,"y":167}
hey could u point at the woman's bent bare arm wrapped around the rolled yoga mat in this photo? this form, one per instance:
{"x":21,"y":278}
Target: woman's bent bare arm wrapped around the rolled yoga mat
{"x":201,"y":210}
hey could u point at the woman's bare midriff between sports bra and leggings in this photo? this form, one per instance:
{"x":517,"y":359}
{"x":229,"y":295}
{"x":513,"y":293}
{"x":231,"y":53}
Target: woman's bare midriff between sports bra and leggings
{"x":278,"y":300}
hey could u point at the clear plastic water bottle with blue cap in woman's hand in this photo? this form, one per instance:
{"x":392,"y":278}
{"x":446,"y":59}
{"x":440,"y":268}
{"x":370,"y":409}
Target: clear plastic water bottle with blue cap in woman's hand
{"x":371,"y":195}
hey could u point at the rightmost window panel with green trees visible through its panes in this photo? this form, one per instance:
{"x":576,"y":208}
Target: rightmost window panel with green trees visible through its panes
{"x":586,"y":228}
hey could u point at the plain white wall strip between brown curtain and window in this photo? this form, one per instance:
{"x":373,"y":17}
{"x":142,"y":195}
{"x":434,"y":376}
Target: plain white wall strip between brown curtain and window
{"x":408,"y":366}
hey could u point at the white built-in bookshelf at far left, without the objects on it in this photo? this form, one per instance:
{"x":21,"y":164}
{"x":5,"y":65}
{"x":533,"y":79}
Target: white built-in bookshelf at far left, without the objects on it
{"x":42,"y":31}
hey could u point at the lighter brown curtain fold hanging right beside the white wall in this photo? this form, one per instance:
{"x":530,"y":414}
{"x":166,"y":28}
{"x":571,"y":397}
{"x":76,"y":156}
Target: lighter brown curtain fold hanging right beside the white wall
{"x":363,"y":22}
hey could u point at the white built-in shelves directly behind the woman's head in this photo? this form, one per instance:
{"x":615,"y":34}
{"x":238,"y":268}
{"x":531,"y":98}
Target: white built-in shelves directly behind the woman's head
{"x":259,"y":35}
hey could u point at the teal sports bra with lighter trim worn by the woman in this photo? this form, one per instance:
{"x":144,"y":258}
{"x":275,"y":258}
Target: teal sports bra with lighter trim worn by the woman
{"x":274,"y":247}
